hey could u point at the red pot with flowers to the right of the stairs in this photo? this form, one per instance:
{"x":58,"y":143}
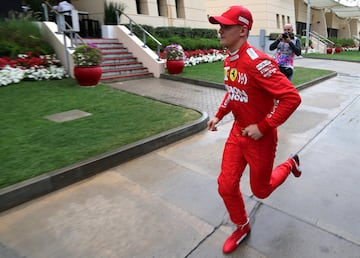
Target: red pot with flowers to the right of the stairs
{"x":175,"y":58}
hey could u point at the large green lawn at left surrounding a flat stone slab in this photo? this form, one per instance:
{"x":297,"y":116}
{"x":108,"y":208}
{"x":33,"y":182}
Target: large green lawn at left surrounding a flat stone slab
{"x":32,"y":145}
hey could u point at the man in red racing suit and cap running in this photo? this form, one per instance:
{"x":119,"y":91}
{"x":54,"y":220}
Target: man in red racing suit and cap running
{"x":253,"y":82}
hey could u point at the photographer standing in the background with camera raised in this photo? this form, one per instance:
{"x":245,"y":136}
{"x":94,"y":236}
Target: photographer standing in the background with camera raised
{"x":287,"y":45}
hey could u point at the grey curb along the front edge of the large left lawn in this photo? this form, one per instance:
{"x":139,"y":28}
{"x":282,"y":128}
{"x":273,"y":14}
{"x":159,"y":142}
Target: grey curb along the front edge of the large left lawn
{"x":41,"y":185}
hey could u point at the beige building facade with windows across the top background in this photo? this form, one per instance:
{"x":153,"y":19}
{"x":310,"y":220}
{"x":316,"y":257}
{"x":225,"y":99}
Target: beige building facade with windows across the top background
{"x":269,"y":15}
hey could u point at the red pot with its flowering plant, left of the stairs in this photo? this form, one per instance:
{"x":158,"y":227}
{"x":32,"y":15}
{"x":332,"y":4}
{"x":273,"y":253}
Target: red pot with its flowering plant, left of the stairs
{"x":87,"y":60}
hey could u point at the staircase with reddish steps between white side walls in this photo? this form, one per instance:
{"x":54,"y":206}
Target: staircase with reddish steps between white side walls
{"x":118,"y":64}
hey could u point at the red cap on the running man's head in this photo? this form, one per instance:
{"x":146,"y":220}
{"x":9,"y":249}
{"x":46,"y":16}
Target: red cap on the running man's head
{"x":237,"y":14}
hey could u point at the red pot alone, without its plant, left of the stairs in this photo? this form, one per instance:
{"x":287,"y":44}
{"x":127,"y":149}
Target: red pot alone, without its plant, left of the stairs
{"x":87,"y":75}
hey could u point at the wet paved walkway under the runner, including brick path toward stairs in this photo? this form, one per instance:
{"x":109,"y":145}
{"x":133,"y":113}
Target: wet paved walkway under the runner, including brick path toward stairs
{"x":165,"y":203}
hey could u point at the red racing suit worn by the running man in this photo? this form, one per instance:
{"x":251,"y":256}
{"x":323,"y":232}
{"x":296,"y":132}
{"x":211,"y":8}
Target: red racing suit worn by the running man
{"x":253,"y":82}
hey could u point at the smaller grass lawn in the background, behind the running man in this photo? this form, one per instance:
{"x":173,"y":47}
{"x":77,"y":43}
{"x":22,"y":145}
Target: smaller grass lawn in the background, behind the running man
{"x":214,"y":72}
